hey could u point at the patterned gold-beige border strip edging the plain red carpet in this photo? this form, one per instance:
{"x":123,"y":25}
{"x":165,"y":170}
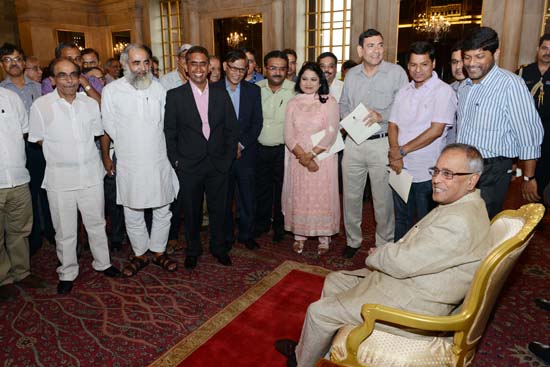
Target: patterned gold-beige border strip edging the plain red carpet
{"x":190,"y":343}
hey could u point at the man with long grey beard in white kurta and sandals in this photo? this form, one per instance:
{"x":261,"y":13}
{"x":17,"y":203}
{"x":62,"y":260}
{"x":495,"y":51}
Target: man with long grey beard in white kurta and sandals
{"x":133,"y":116}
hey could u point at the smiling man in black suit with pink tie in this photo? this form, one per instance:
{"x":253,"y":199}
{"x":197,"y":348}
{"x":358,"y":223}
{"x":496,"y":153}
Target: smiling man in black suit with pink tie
{"x":201,"y":138}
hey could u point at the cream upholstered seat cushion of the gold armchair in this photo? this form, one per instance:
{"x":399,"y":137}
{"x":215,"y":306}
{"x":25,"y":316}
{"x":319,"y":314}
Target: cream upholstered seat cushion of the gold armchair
{"x":389,"y":350}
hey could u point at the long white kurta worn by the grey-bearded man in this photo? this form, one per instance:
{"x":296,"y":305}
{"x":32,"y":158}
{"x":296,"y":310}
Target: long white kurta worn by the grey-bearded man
{"x":134,"y":119}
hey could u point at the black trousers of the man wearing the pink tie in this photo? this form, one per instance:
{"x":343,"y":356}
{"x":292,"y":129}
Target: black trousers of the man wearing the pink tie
{"x":204,"y":178}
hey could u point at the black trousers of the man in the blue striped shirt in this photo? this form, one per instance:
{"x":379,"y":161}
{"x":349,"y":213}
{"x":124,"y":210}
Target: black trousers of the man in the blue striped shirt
{"x":494,"y":183}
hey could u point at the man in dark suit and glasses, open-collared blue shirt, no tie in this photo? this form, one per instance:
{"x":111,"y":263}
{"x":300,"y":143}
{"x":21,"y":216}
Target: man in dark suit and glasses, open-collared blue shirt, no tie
{"x":247,"y":101}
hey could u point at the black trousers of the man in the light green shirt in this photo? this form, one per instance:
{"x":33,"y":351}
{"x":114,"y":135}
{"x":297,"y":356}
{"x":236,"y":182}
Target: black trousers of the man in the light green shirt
{"x":270,"y":167}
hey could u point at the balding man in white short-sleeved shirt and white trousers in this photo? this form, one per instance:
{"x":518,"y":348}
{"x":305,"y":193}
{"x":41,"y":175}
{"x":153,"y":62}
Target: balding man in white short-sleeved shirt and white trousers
{"x":65,"y":123}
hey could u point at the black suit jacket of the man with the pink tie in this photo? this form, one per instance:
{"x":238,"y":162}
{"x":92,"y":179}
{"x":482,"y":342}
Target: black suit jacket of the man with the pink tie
{"x":186,"y":145}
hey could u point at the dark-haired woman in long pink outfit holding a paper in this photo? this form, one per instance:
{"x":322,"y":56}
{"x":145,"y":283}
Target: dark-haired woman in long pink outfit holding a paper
{"x":310,"y":199}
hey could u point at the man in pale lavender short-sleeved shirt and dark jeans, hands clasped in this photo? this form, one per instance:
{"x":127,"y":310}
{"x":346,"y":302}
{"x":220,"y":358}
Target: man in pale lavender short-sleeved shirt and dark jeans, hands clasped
{"x":421,"y":113}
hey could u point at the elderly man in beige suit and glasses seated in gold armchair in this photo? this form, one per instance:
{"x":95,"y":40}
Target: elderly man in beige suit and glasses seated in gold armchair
{"x":428,"y":271}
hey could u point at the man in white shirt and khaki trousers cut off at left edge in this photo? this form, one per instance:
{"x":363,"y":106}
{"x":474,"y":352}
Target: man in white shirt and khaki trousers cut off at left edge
{"x":15,"y":198}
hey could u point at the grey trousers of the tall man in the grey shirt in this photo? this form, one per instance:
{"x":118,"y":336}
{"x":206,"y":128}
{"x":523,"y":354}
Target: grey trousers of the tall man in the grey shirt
{"x":369,"y":158}
